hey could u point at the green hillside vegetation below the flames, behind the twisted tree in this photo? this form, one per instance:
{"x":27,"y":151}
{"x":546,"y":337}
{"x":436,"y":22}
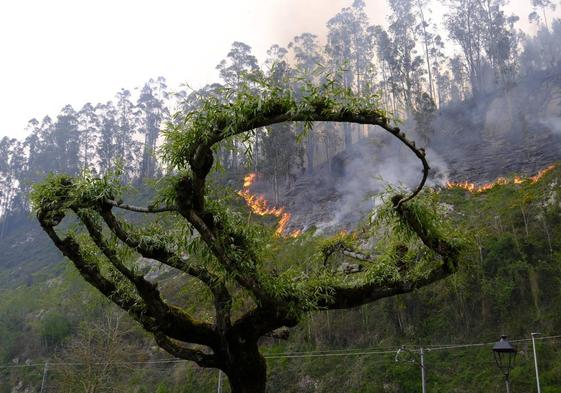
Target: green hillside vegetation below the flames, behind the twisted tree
{"x":490,"y":295}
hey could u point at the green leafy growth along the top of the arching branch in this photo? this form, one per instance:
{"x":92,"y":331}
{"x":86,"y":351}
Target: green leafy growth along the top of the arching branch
{"x":246,"y":107}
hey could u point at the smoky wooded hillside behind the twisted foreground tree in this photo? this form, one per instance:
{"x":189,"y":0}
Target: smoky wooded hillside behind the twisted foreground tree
{"x":482,"y":97}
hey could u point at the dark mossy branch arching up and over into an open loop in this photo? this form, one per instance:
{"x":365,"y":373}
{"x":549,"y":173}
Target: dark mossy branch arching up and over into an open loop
{"x":200,"y":159}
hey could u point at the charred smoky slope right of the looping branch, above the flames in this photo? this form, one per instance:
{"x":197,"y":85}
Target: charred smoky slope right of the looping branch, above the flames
{"x":513,"y":131}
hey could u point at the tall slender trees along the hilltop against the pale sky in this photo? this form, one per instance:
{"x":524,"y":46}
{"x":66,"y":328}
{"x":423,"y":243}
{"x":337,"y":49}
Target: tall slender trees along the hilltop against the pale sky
{"x":416,"y":65}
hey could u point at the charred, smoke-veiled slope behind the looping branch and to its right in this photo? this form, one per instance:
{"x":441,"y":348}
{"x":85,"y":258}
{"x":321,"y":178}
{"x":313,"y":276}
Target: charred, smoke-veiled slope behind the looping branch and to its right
{"x":517,"y":131}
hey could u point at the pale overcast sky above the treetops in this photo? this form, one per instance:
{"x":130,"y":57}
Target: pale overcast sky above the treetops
{"x":58,"y":52}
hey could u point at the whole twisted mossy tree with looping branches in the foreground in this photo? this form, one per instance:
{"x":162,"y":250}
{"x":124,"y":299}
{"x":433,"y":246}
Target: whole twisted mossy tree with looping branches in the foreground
{"x":252,"y":292}
